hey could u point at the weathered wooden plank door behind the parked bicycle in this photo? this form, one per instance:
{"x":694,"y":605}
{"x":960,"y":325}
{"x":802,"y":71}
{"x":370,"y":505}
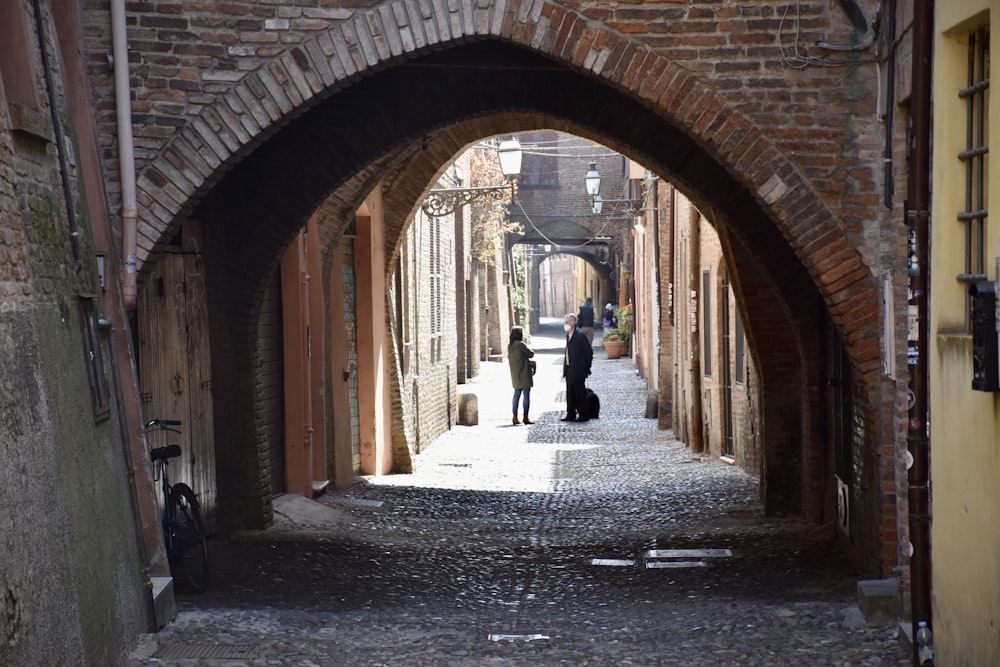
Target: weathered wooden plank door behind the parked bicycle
{"x":175,"y":370}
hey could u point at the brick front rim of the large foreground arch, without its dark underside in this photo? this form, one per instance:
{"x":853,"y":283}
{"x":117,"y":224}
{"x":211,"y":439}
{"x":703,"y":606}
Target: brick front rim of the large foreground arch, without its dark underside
{"x":298,"y":80}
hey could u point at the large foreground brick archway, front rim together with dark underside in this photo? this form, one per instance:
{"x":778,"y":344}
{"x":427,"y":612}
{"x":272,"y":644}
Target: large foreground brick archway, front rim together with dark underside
{"x":253,"y":178}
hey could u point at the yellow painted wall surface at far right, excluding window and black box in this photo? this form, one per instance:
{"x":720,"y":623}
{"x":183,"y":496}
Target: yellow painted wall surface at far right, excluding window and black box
{"x":965,"y":424}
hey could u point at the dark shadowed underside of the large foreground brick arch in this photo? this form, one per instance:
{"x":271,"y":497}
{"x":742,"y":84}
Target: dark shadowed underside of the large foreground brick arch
{"x":408,"y":121}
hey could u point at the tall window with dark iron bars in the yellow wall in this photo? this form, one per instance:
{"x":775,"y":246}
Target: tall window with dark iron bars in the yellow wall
{"x":975,"y":158}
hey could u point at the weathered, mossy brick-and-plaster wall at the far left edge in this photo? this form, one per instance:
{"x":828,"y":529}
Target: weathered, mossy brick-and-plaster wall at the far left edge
{"x":71,"y":577}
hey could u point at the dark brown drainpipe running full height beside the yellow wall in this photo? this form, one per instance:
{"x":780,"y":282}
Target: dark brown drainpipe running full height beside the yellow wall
{"x":918,"y":440}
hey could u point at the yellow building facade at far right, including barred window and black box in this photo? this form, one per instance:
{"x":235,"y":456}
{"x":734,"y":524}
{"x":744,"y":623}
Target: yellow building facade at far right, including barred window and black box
{"x":964,"y":415}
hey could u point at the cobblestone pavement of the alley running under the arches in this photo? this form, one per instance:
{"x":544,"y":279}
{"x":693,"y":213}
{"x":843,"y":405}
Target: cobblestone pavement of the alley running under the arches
{"x":601,"y":543}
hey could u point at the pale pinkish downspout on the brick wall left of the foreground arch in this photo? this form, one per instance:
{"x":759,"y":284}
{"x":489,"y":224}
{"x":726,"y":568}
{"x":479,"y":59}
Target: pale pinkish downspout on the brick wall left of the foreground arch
{"x":126,"y":150}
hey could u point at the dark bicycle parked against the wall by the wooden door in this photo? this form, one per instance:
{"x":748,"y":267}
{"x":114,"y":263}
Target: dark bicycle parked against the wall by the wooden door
{"x":183,"y":529}
